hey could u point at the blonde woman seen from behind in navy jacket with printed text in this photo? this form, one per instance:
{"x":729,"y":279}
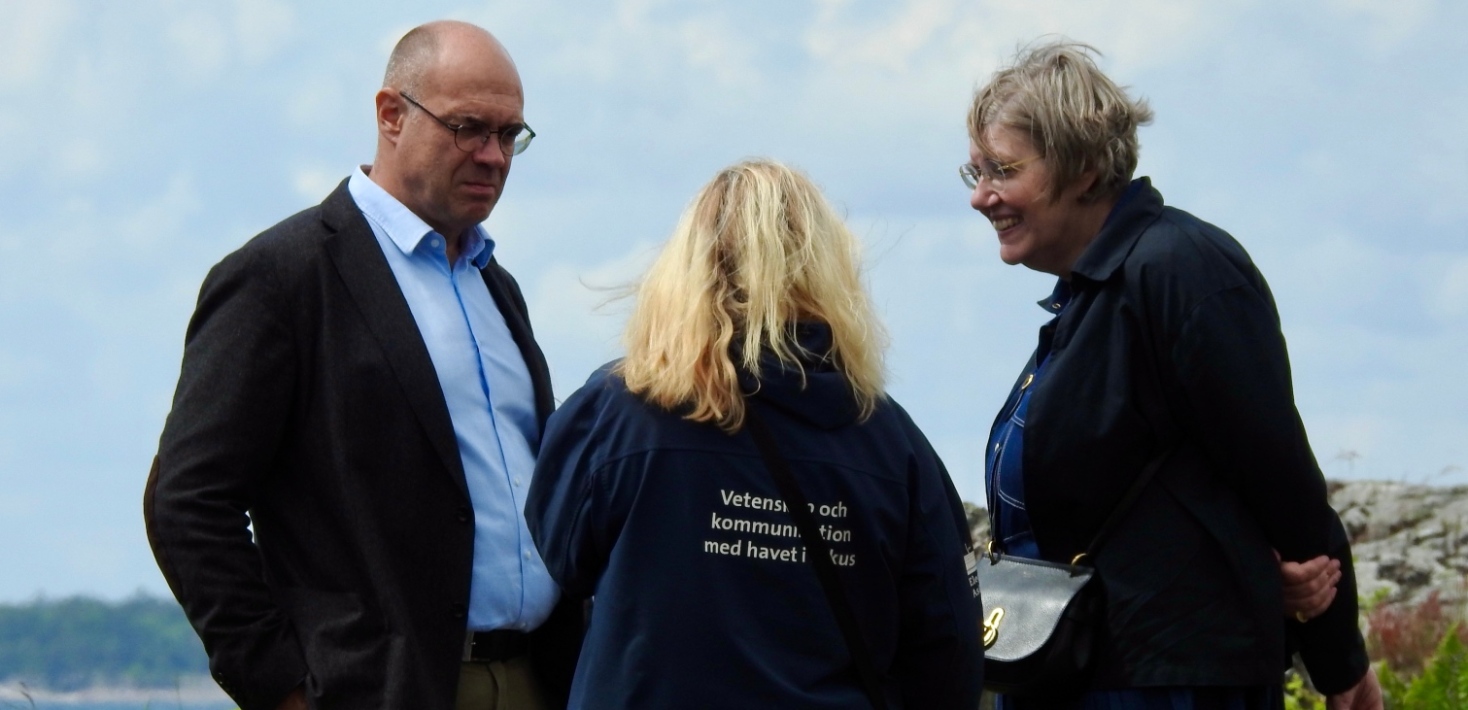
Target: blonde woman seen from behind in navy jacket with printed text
{"x":653,"y":497}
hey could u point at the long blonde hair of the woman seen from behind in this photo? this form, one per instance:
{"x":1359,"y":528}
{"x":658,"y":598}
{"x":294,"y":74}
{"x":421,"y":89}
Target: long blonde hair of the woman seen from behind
{"x":758,"y":252}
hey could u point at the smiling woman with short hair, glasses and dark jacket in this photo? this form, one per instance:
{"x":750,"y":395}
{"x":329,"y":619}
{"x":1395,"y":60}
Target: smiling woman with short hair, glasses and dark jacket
{"x":1165,"y":347}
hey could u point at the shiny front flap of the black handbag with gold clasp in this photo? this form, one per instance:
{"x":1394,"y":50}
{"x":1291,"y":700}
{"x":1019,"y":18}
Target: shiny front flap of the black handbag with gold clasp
{"x":1024,"y":602}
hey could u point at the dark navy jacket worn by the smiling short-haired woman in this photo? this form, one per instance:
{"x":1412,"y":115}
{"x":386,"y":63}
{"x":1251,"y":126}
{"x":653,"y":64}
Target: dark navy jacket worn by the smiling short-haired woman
{"x":1172,"y":341}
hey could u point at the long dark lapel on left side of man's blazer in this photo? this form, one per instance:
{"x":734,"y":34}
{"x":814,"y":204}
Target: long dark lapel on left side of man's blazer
{"x":369,"y":279}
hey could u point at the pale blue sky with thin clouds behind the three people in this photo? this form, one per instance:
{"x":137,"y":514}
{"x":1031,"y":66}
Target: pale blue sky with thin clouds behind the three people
{"x":148,"y":140}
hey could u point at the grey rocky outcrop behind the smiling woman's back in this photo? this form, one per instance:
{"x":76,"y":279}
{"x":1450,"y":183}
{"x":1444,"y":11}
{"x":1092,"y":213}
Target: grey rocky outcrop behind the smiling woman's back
{"x":1409,"y":541}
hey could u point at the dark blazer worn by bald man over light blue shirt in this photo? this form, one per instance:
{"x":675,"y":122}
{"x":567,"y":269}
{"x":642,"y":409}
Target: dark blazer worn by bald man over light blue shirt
{"x":308,"y":504}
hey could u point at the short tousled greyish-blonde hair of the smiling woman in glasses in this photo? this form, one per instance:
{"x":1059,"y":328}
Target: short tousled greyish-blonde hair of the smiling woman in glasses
{"x":1077,"y":118}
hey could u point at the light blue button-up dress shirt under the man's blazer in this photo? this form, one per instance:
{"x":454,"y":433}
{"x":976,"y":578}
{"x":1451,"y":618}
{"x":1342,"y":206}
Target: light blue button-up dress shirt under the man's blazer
{"x":491,"y":403}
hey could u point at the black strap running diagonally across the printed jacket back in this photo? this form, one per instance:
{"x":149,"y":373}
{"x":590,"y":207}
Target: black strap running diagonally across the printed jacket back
{"x":820,"y":555}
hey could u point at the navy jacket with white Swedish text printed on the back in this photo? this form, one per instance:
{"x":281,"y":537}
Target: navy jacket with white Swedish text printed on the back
{"x":702,"y":593}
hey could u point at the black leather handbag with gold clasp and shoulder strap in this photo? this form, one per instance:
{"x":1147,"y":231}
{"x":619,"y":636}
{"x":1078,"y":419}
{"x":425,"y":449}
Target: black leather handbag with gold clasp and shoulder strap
{"x":1043,"y":620}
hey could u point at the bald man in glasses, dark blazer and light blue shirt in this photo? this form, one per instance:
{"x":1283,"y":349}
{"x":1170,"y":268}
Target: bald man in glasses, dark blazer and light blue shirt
{"x":338,"y":492}
